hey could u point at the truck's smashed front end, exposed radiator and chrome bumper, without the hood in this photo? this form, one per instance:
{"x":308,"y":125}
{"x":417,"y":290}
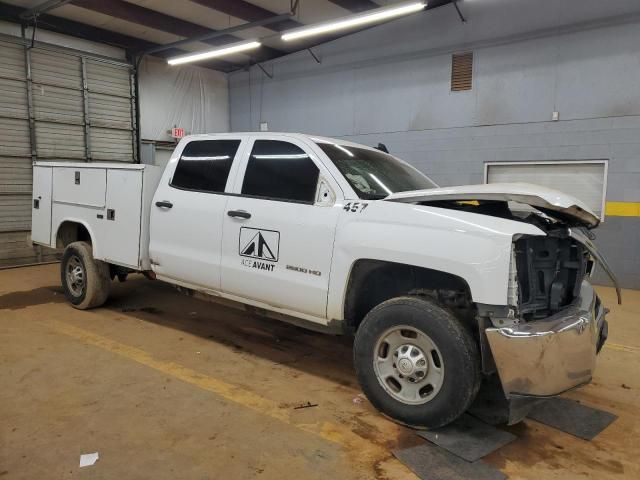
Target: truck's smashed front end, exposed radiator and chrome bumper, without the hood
{"x":546,"y":341}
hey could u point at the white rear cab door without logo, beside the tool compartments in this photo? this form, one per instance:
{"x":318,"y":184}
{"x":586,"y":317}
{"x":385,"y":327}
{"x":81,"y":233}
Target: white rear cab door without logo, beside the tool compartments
{"x":187,"y":212}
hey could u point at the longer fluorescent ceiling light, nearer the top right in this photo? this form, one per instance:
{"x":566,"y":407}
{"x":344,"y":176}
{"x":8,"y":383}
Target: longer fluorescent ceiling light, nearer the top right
{"x":377,"y":15}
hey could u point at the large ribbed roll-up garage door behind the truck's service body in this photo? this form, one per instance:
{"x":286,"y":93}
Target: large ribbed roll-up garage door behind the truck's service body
{"x":73,"y":107}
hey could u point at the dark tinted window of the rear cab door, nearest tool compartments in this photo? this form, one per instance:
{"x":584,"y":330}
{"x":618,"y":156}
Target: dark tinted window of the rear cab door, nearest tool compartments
{"x":204,"y":165}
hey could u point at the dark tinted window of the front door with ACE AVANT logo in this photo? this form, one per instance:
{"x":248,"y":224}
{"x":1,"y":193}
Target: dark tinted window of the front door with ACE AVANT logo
{"x":280,"y":170}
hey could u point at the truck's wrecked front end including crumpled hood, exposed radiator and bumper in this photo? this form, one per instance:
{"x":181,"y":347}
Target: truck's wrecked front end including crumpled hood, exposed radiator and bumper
{"x":545,"y":339}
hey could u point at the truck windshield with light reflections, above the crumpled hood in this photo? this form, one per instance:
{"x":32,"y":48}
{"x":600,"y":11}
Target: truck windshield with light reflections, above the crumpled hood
{"x":374,"y":174}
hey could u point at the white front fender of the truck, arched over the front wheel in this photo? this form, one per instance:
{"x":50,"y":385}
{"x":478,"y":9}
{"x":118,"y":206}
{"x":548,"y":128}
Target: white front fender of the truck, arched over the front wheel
{"x":474,"y":247}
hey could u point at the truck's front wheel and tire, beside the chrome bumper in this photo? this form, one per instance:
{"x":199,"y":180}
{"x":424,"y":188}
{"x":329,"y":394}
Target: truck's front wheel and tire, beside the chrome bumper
{"x":416,"y":362}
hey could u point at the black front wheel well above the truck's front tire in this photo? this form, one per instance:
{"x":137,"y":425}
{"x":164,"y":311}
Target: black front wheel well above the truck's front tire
{"x":374,"y":281}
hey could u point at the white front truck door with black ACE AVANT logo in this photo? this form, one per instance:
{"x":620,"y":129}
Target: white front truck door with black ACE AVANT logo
{"x":278,"y":238}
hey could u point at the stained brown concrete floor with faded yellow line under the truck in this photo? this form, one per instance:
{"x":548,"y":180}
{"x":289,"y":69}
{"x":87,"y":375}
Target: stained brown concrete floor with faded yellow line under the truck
{"x":165,"y":387}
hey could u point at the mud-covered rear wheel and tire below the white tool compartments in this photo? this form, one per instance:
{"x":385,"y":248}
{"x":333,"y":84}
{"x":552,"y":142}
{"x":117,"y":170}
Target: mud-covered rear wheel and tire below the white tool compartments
{"x":85,"y":281}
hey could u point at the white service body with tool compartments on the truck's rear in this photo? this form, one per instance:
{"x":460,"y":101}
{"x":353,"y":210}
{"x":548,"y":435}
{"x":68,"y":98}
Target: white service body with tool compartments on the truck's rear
{"x":108,"y":199}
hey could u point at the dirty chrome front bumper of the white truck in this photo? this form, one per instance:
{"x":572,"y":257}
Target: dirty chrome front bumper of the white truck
{"x":546,"y":357}
